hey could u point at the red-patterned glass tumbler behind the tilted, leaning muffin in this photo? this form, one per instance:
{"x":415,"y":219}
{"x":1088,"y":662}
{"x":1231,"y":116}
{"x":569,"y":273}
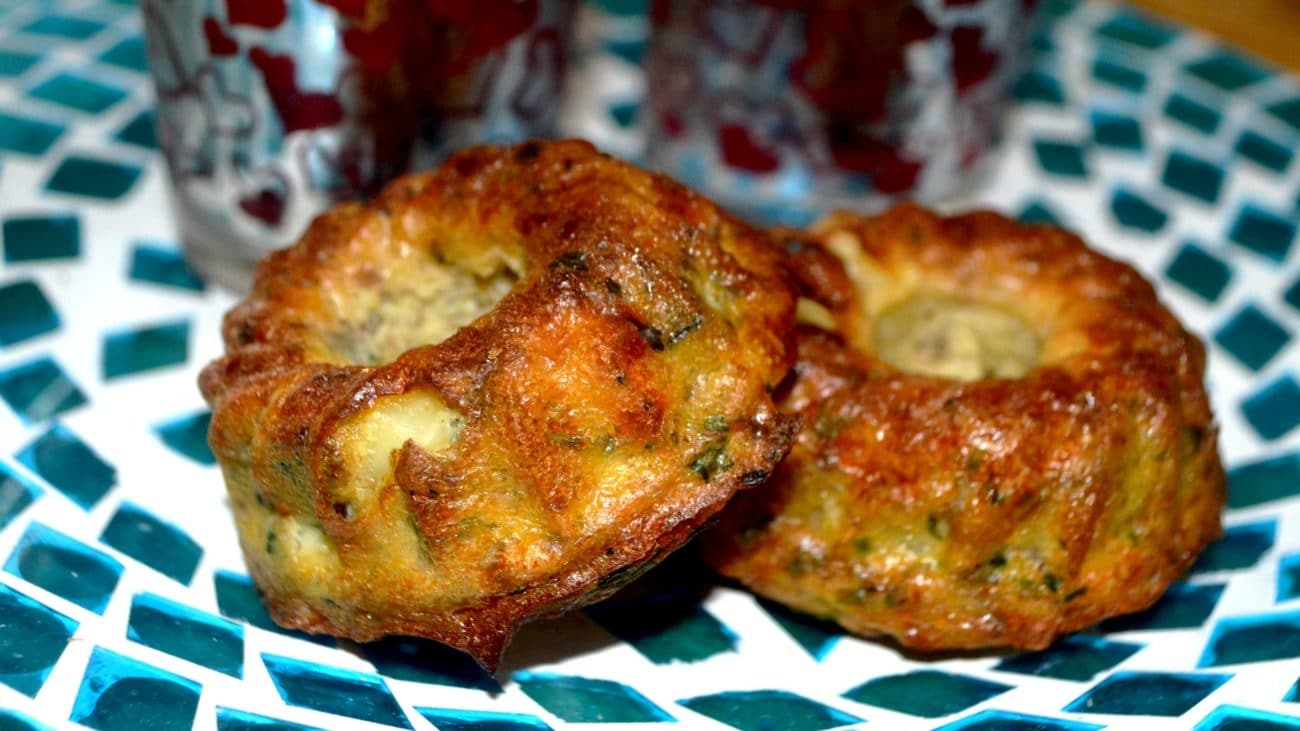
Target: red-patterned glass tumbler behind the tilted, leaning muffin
{"x":271,"y":111}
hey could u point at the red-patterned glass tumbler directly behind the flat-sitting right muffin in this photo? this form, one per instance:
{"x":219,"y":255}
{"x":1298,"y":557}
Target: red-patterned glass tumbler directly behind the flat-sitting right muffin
{"x":783,"y":110}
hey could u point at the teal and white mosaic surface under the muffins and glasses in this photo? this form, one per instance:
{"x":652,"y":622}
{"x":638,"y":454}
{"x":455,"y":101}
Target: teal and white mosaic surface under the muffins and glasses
{"x":124,"y":595}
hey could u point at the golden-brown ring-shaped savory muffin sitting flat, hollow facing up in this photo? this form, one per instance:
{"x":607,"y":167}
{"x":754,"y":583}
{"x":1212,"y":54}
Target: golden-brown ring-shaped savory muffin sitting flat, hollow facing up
{"x":1006,"y":438}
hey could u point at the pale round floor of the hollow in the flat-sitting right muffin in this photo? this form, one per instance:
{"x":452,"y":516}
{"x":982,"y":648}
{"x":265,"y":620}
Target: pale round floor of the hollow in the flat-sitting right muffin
{"x":955,"y":338}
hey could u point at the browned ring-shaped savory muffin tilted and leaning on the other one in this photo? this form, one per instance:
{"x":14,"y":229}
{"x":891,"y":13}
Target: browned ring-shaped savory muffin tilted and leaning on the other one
{"x":499,"y":392}
